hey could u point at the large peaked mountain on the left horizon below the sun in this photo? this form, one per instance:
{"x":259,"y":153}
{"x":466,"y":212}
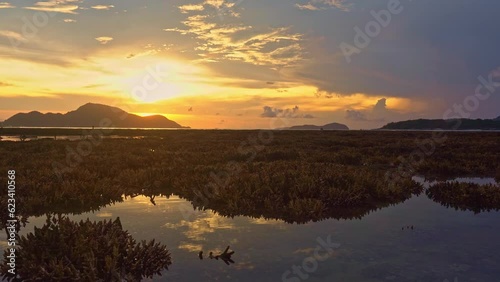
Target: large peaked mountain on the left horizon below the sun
{"x":90,"y":115}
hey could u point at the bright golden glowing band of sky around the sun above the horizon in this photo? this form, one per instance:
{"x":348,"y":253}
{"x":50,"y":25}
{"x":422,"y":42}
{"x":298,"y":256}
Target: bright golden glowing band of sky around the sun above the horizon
{"x":191,"y":94}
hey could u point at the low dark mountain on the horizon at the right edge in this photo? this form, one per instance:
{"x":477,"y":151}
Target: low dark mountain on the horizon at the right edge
{"x":451,"y":124}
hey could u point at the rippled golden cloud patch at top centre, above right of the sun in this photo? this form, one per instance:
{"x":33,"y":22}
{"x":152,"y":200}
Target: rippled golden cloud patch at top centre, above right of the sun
{"x":276,"y":47}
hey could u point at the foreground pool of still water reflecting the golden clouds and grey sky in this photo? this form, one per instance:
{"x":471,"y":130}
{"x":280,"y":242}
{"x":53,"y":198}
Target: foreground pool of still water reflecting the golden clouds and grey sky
{"x":445,"y":244}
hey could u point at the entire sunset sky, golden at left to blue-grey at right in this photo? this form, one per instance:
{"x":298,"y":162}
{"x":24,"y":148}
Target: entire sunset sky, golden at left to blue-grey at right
{"x":253,"y":64}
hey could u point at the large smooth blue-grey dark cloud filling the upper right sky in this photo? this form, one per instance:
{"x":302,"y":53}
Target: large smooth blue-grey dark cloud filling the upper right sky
{"x":427,"y":51}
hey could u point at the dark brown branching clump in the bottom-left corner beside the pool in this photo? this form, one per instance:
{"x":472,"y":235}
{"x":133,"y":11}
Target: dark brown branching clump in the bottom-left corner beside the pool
{"x":86,"y":251}
